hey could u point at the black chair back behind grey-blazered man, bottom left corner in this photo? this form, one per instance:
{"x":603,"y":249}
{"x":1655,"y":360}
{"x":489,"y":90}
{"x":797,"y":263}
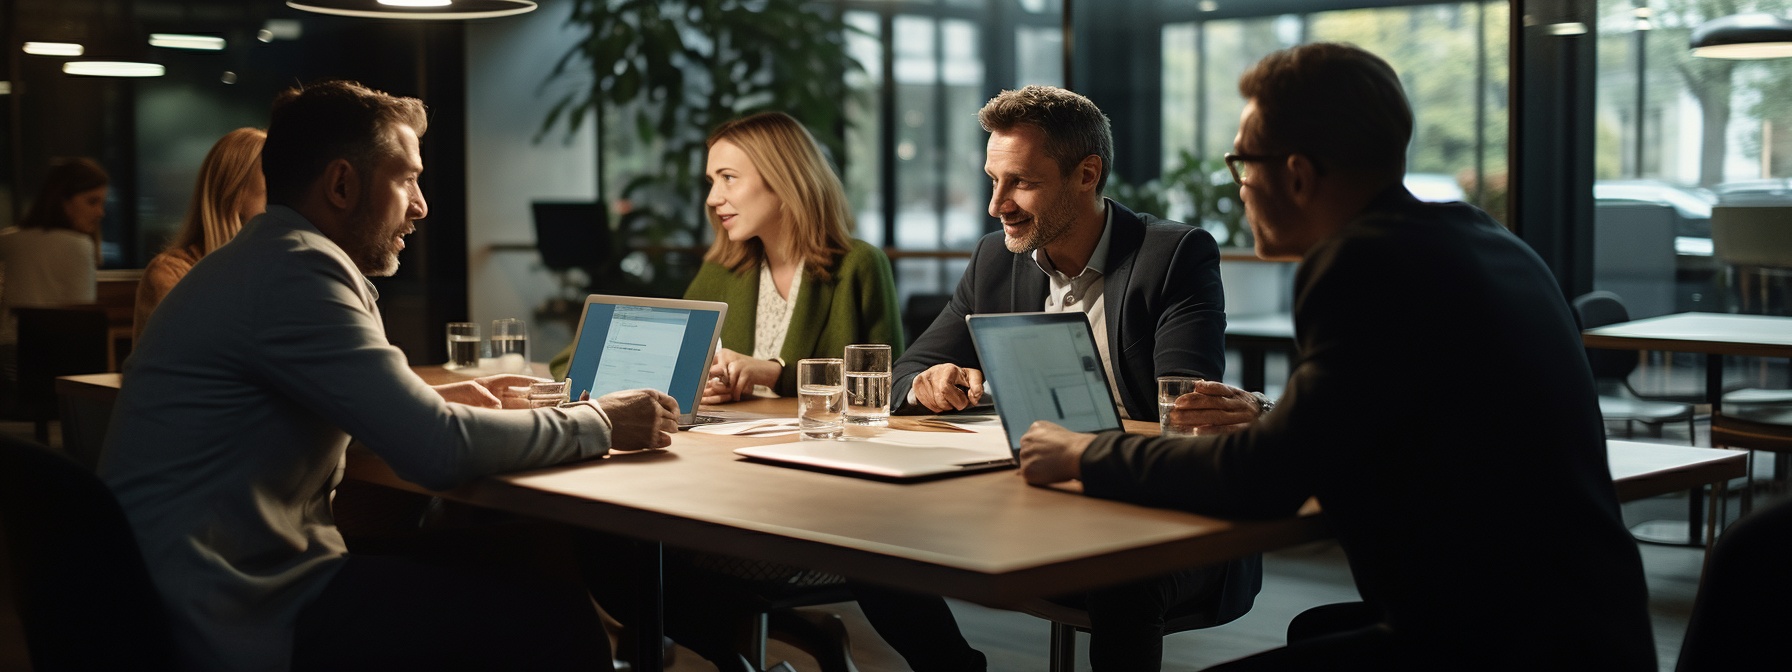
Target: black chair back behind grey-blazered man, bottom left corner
{"x":83,"y":592}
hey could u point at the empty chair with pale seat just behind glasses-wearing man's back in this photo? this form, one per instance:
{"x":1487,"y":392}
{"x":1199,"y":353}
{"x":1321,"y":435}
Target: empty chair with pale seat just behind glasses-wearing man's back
{"x":1612,"y":370}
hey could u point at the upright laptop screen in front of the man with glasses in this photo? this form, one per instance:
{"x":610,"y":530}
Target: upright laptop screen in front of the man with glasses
{"x":1044,"y":366}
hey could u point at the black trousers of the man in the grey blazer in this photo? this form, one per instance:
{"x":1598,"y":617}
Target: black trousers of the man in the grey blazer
{"x":435,"y":612}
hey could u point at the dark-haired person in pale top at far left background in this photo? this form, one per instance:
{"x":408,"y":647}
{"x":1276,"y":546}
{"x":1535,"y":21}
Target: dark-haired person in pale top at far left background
{"x":53,"y":255}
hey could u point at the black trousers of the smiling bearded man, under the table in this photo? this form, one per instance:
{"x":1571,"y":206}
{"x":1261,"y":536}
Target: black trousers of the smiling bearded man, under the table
{"x":1128,"y":623}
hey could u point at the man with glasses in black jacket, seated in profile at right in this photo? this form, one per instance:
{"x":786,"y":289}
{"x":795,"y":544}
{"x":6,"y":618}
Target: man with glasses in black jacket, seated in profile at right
{"x":1440,"y":393}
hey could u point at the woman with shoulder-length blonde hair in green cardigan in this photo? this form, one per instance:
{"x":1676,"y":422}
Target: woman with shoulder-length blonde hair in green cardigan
{"x":795,"y":280}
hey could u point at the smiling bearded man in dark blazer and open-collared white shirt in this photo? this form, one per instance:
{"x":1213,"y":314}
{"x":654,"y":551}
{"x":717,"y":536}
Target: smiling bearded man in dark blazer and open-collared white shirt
{"x":1153,"y":295}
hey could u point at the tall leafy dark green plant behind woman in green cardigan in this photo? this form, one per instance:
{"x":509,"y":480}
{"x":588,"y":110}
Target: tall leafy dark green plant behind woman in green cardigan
{"x":676,"y":69}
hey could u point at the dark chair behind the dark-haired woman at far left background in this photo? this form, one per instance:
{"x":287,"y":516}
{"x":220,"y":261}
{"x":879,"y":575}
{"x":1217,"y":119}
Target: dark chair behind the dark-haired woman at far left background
{"x":56,"y":343}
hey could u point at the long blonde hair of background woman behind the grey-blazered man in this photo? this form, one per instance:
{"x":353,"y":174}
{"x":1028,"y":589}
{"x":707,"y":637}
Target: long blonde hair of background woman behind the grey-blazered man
{"x":214,"y":214}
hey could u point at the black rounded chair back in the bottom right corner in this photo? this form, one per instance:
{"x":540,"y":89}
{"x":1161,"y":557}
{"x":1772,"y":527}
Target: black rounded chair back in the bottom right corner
{"x":1741,"y":612}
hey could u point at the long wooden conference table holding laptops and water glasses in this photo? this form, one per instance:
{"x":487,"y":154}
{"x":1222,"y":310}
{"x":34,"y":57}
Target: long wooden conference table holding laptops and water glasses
{"x":985,"y":538}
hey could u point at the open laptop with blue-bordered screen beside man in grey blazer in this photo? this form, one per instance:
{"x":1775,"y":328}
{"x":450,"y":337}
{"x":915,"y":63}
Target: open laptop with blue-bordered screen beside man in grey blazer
{"x":633,"y":343}
